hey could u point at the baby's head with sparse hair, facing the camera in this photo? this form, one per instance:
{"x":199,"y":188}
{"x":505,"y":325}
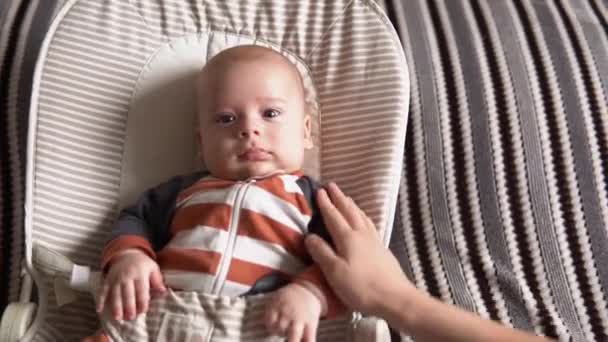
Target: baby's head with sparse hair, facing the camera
{"x":253,"y":117}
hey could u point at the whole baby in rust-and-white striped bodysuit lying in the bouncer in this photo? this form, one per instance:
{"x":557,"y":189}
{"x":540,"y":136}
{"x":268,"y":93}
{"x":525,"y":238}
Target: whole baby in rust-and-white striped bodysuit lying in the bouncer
{"x":240,"y":227}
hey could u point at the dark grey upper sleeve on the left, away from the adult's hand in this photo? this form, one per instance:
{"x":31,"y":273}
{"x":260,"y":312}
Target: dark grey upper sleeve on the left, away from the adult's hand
{"x":151,"y":215}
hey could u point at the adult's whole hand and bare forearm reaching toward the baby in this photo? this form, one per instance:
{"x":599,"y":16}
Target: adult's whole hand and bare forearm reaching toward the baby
{"x":368,"y":278}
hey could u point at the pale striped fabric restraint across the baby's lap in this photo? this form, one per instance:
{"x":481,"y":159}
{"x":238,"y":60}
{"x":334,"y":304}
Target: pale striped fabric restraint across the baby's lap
{"x":231,"y":319}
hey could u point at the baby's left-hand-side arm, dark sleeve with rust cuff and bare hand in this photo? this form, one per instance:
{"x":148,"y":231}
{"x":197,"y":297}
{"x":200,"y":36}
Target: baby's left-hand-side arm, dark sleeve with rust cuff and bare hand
{"x":128,"y":258}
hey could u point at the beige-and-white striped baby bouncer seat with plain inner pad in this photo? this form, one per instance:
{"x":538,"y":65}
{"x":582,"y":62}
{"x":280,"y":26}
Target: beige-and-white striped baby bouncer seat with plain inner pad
{"x":112,"y":114}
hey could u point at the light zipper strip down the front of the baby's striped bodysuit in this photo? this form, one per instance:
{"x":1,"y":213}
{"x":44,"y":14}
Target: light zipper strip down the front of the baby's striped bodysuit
{"x":222,"y":272}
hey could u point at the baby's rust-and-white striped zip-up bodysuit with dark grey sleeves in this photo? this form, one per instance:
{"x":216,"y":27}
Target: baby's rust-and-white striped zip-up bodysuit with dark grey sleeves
{"x":222,"y":236}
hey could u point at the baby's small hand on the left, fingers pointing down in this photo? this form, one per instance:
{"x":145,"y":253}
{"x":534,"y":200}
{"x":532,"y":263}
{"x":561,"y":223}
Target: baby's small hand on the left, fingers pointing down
{"x":126,"y":287}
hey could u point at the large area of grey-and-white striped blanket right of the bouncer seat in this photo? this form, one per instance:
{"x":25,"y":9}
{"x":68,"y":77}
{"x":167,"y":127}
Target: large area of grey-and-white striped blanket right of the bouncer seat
{"x":503,"y":204}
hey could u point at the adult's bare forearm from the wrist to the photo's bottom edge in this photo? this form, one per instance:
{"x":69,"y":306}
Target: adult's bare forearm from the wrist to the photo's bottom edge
{"x":428,"y":319}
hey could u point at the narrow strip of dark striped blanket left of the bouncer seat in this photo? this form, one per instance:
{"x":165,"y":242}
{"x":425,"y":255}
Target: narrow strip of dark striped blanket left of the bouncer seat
{"x":23,"y":25}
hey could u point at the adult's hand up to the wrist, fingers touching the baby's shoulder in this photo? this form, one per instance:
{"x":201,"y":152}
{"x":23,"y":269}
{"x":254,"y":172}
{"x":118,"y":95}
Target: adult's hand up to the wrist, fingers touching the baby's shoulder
{"x":362,"y":272}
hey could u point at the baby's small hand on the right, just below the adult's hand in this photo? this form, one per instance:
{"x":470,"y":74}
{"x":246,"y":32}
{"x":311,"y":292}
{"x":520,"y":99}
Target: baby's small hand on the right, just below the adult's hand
{"x":294,"y":312}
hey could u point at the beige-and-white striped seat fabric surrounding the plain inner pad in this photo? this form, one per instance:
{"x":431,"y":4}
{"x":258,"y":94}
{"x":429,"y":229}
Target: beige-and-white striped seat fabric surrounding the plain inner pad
{"x":90,"y":67}
